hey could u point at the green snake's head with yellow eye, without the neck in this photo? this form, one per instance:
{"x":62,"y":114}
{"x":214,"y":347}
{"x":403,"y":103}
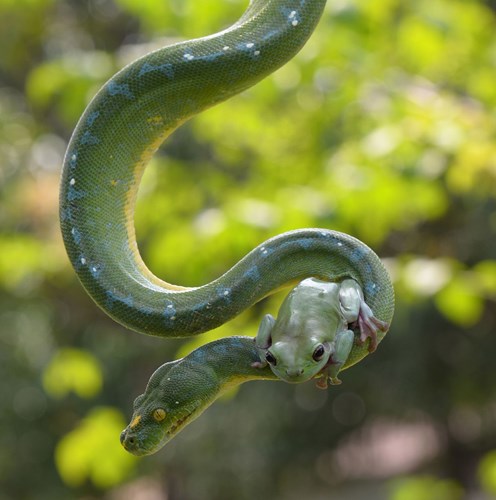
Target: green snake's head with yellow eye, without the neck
{"x":174,"y":397}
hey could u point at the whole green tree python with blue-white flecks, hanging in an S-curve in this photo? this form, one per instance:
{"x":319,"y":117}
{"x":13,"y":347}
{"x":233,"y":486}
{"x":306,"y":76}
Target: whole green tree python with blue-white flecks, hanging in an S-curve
{"x":120,"y":130}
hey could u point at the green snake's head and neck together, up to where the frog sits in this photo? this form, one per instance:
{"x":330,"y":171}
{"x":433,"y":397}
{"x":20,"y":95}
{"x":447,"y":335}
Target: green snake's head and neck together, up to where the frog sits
{"x":172,"y":400}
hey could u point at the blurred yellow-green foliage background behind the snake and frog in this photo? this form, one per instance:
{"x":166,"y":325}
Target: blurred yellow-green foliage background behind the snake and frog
{"x":384,"y":127}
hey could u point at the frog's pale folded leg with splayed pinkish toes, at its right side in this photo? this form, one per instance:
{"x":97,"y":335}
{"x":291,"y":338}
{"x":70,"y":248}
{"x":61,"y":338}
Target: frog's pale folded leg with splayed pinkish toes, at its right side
{"x":356,"y":310}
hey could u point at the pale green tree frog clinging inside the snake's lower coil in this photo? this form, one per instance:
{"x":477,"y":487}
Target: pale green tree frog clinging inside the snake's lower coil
{"x":312,"y":336}
